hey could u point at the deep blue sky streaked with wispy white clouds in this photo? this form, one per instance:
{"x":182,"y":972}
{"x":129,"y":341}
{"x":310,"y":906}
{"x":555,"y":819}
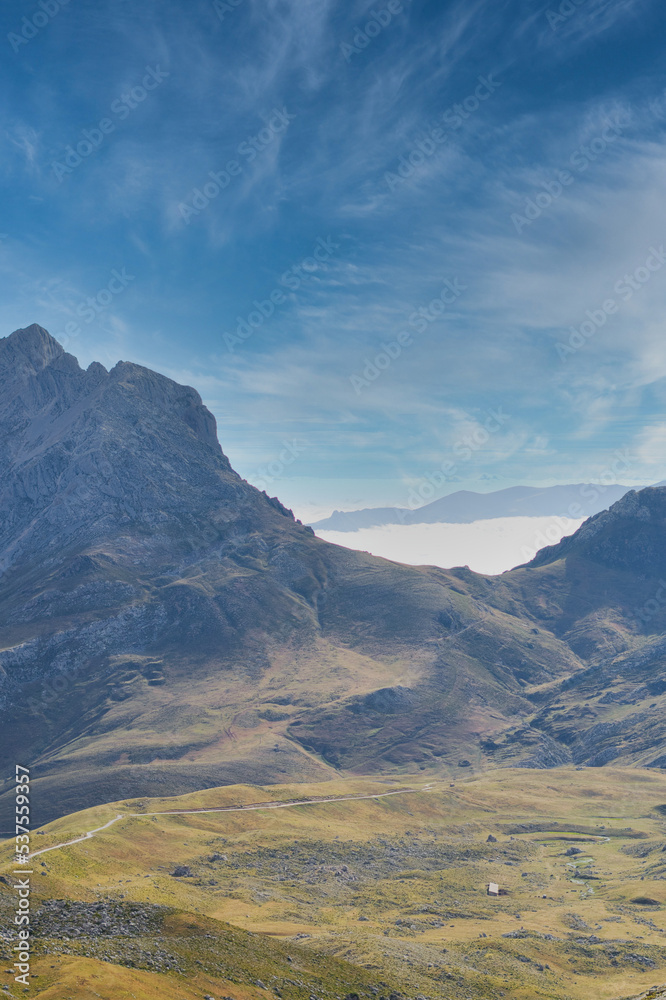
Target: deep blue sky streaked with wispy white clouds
{"x":441,"y":224}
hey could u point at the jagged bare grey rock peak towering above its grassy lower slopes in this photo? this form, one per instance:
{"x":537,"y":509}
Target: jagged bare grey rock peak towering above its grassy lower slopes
{"x":88,"y":455}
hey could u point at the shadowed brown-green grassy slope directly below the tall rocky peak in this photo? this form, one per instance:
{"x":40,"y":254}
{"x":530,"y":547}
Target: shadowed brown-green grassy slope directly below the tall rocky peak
{"x":199,"y":699}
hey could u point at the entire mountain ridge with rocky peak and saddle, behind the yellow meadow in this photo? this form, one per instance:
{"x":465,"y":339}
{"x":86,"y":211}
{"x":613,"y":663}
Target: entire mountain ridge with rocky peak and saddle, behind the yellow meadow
{"x":166,"y":627}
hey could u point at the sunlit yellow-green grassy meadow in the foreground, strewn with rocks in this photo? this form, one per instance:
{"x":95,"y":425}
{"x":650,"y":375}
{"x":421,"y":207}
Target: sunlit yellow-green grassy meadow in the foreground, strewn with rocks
{"x":414,"y":865}
